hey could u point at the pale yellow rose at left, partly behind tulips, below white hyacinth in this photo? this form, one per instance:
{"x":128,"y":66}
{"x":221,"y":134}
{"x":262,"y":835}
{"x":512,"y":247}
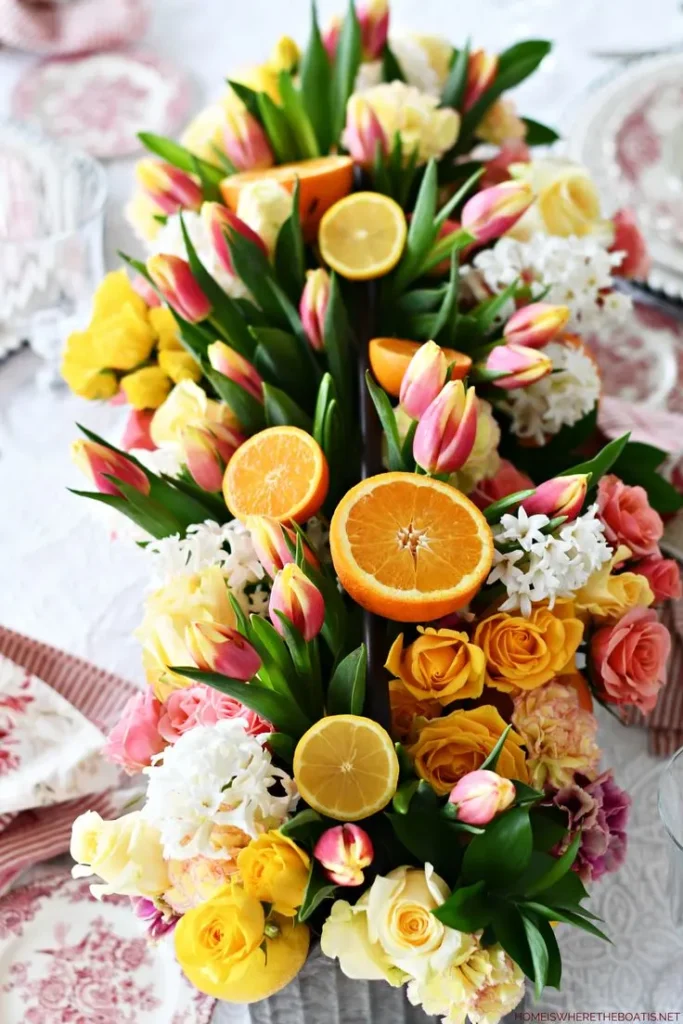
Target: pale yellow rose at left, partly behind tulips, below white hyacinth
{"x":198,"y":598}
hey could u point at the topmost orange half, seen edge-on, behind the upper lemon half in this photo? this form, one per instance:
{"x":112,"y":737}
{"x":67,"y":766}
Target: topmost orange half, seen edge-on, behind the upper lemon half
{"x":323,"y":182}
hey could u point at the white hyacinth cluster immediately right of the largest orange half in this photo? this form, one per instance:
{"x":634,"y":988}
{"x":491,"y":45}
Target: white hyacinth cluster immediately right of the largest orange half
{"x":545,"y":567}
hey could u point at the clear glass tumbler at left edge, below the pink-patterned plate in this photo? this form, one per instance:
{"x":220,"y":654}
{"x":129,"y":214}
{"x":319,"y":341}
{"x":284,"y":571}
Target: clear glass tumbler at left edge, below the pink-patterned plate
{"x":52,"y":223}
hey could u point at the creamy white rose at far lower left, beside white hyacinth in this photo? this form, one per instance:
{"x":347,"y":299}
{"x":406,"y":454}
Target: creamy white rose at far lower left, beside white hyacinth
{"x":126,"y":854}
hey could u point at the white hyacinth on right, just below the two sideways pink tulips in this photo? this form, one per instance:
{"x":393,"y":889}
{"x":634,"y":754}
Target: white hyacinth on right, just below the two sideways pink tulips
{"x":560,"y":400}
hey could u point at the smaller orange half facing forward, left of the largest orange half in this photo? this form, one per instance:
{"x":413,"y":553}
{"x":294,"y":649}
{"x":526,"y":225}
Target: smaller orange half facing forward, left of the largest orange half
{"x":281,"y":473}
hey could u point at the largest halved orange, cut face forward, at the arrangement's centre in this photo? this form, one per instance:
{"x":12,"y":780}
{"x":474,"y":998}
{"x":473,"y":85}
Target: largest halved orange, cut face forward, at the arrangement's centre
{"x":409,"y":547}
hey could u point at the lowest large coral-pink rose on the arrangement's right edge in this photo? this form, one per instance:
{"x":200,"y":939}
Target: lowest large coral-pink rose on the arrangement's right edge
{"x":630,"y":659}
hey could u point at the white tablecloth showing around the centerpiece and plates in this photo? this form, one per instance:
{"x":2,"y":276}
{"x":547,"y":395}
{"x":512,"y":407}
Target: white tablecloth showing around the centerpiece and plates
{"x":66,"y":581}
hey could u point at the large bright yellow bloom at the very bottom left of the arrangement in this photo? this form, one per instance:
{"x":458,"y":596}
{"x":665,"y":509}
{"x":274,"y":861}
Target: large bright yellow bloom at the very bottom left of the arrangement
{"x":228,"y":950}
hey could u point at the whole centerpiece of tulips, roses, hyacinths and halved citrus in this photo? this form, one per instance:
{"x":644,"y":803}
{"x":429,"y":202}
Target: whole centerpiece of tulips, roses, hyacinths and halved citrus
{"x":395,"y":569}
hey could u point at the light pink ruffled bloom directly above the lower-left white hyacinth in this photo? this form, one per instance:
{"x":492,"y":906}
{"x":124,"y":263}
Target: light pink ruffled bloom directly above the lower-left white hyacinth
{"x":202,"y":705}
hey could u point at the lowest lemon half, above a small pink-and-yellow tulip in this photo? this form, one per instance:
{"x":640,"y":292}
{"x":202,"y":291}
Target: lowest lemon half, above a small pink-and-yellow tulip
{"x":347,"y":767}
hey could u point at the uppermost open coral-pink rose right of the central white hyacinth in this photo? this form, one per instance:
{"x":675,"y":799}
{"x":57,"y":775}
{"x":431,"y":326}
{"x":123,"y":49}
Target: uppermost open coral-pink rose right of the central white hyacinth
{"x":628,"y":517}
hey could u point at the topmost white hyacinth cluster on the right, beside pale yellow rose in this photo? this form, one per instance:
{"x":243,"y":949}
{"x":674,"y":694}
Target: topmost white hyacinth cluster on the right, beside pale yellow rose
{"x":574,"y":273}
